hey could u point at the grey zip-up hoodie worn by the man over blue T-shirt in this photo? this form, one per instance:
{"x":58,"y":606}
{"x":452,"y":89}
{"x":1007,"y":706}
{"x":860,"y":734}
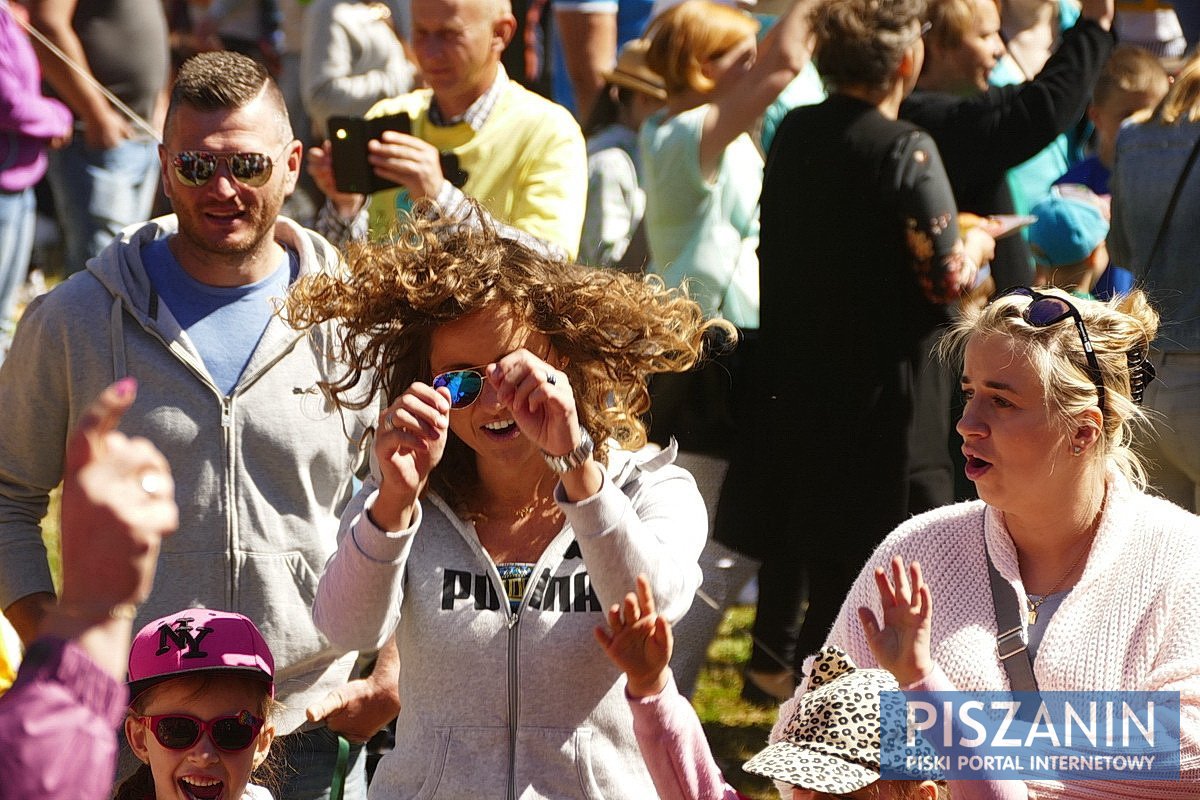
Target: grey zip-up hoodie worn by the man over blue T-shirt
{"x":261,"y":476}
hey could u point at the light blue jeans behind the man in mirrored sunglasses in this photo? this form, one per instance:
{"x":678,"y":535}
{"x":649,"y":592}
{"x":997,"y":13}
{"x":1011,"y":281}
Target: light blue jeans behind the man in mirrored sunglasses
{"x":99,"y":193}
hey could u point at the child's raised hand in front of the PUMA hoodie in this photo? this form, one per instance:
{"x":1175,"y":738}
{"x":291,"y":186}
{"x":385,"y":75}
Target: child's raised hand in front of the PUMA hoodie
{"x":640,"y":642}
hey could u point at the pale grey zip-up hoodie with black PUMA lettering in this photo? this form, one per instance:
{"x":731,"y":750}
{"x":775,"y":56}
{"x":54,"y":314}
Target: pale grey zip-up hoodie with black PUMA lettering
{"x":519,"y":705}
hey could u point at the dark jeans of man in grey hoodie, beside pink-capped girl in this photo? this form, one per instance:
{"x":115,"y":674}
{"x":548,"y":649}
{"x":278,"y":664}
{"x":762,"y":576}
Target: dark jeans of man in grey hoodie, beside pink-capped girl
{"x":309,"y":760}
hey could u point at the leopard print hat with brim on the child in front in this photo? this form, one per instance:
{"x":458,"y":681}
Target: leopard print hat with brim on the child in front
{"x":832,"y":743}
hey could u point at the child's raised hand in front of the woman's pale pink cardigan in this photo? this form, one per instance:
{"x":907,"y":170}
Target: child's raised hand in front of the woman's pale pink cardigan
{"x":902,"y":646}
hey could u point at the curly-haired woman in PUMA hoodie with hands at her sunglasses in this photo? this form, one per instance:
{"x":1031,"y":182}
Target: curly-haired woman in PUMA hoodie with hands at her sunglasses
{"x":511,"y":504}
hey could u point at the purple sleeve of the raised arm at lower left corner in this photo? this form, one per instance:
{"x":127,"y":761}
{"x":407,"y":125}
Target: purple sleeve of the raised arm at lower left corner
{"x":58,"y":726}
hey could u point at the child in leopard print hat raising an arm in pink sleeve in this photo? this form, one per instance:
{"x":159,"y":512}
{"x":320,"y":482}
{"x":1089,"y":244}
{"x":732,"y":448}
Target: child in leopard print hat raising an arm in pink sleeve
{"x":821,"y":756}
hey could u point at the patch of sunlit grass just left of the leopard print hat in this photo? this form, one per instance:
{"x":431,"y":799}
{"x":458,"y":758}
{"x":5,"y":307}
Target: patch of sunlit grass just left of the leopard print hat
{"x":736,"y":730}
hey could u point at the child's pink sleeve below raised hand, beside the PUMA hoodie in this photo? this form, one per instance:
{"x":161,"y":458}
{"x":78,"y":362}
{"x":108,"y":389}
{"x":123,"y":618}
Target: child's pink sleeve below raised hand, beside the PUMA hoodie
{"x":675,"y":749}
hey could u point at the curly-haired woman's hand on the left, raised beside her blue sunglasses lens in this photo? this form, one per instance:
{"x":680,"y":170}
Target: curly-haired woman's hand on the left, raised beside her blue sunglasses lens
{"x":409,"y":444}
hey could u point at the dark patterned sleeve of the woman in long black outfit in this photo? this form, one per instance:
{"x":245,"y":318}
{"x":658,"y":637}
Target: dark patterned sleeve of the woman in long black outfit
{"x":928,"y":210}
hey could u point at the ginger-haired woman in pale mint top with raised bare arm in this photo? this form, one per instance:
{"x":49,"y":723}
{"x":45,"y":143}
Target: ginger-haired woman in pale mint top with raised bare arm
{"x":703,"y":171}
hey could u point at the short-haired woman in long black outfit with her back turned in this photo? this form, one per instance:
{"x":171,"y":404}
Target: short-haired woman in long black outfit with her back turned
{"x":860,"y":257}
